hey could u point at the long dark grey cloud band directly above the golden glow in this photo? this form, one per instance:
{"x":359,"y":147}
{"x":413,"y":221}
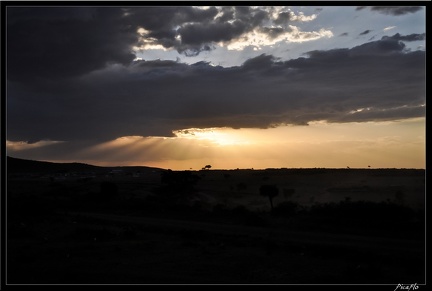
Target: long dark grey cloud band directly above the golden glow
{"x":375,"y":81}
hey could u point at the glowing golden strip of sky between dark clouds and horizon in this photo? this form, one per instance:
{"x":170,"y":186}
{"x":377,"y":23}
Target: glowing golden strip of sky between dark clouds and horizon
{"x":399,"y":144}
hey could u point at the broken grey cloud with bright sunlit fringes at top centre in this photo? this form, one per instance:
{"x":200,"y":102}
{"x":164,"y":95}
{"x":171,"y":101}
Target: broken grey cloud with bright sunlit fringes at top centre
{"x":191,"y":30}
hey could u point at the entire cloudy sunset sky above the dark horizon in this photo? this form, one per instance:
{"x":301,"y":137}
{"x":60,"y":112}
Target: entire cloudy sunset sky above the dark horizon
{"x":182,"y":87}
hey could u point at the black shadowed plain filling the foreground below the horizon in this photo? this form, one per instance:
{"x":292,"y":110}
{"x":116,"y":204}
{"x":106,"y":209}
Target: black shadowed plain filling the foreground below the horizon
{"x":327,"y":227}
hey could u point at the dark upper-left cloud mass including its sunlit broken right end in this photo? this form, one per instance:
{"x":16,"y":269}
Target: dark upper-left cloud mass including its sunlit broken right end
{"x":63,"y":42}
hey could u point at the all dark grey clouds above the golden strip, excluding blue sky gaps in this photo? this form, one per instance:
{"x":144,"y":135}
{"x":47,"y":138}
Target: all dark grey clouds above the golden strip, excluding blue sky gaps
{"x":73,"y":74}
